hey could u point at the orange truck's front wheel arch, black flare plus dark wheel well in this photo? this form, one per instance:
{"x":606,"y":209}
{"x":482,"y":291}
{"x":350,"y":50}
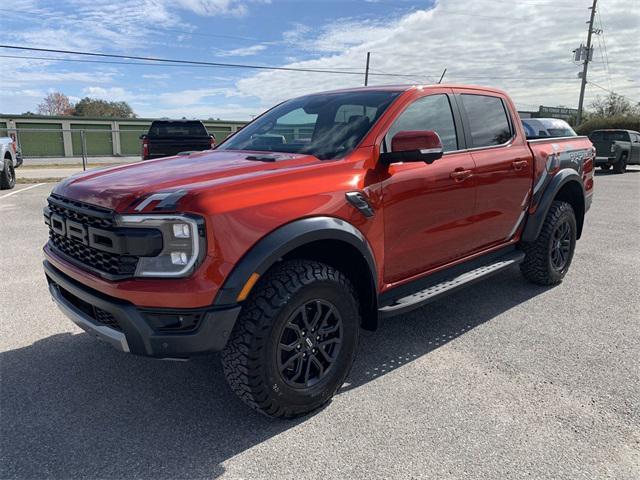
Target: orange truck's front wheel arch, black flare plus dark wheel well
{"x":329,"y":240}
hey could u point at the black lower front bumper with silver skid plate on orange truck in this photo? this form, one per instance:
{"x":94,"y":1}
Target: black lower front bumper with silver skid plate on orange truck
{"x":125,"y":327}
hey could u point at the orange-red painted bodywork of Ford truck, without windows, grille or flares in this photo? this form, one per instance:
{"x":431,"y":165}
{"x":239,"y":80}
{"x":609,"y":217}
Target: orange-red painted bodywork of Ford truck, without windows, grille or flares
{"x":425,"y":218}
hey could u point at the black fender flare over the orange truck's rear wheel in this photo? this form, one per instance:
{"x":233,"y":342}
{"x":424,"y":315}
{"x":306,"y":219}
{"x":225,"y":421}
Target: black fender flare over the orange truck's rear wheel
{"x":565,"y":186}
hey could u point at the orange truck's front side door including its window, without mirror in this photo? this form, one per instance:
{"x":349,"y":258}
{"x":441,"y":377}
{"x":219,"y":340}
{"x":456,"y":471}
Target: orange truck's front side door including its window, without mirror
{"x":428,"y":209}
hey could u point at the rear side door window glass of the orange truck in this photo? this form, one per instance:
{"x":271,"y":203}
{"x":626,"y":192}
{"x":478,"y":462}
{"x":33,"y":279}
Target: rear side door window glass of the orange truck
{"x":488,"y":121}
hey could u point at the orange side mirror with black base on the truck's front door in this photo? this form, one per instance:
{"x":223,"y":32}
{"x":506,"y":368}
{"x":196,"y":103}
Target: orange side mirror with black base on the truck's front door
{"x":413,"y":146}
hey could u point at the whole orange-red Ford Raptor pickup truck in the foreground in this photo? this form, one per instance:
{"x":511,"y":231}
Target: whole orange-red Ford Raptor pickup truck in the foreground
{"x":322,"y":216}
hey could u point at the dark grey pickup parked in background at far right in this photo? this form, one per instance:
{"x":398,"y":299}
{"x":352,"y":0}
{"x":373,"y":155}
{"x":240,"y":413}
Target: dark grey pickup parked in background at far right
{"x":616,"y":148}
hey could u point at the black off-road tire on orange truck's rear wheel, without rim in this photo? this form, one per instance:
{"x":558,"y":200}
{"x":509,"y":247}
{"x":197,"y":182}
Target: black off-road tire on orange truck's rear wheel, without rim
{"x":538,"y":266}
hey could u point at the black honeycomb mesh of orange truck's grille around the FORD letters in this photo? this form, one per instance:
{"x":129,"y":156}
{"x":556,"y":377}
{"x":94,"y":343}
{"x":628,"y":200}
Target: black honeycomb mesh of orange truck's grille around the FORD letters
{"x":107,"y":263}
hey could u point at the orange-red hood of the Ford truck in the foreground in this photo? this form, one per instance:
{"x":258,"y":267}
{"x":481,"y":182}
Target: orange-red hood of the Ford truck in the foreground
{"x":117,"y":188}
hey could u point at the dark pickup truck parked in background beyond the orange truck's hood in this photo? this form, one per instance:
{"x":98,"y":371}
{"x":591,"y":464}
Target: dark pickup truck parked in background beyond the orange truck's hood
{"x":171,"y":137}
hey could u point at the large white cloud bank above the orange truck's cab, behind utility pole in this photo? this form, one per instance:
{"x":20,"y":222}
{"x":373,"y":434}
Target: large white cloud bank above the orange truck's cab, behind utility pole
{"x":523,"y":49}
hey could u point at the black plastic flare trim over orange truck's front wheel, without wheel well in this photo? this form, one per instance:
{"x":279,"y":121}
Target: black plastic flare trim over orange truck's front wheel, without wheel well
{"x":272,"y":247}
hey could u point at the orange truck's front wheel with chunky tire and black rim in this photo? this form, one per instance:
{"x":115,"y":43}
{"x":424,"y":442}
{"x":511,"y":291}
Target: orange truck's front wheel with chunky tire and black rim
{"x":295,"y":340}
